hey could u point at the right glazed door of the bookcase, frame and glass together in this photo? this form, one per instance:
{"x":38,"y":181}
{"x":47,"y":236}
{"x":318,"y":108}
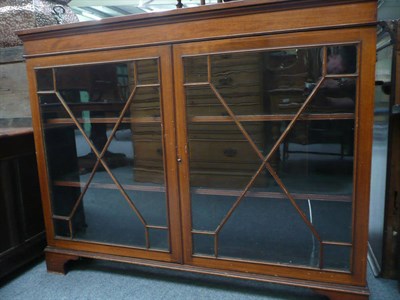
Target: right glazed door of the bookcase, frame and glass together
{"x":268,"y":133}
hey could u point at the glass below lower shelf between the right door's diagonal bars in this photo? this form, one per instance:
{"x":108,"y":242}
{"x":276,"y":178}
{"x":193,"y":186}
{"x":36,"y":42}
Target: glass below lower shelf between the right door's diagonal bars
{"x":268,"y":230}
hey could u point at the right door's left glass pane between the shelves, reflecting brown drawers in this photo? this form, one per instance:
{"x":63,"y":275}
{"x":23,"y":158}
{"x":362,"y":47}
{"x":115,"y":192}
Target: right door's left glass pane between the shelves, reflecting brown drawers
{"x":220,"y":156}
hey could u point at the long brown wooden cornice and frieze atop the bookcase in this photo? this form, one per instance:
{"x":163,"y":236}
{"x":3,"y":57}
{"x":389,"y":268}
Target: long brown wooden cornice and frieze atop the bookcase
{"x":137,"y":33}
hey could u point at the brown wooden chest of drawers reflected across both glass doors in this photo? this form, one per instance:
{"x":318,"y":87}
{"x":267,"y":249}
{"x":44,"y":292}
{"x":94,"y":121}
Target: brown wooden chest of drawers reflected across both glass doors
{"x":212,"y":155}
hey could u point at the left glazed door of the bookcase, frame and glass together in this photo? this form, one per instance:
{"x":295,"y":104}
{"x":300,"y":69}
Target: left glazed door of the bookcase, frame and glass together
{"x":104,"y":130}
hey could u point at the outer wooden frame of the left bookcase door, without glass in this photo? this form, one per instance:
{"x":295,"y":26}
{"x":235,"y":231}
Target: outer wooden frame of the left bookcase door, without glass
{"x":163,"y":54}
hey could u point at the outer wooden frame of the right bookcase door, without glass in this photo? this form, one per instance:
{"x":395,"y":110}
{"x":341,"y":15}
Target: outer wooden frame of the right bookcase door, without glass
{"x":365,"y":37}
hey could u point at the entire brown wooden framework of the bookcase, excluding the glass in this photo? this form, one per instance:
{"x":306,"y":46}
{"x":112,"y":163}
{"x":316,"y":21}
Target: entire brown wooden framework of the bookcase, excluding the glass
{"x":251,"y":26}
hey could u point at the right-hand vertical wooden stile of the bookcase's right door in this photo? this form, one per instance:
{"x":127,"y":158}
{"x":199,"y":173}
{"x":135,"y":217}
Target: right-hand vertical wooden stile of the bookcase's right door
{"x":363,"y":154}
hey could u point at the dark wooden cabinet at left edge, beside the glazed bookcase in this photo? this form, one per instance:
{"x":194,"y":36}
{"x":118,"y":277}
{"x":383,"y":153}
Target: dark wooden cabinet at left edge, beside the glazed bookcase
{"x":21,"y":220}
